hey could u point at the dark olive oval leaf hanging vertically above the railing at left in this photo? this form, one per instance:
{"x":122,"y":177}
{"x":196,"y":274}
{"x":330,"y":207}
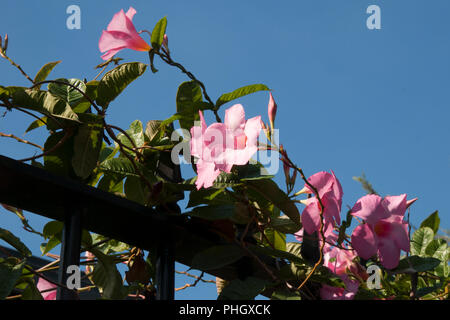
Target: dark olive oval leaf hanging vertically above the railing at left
{"x":87,"y":145}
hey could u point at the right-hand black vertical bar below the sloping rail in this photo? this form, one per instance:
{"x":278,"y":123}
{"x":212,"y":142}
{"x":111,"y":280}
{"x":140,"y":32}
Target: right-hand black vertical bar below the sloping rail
{"x":165,"y":270}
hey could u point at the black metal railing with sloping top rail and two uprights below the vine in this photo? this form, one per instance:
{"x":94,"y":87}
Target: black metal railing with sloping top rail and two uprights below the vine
{"x":175,"y":237}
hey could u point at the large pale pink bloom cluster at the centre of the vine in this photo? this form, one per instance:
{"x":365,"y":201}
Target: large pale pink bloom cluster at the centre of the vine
{"x":222,"y":145}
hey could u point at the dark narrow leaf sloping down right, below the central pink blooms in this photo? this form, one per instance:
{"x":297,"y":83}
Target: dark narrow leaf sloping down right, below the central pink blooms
{"x":270,"y":190}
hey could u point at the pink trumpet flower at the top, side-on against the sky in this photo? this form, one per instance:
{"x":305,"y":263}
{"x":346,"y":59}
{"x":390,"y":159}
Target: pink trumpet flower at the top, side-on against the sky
{"x":121,"y":34}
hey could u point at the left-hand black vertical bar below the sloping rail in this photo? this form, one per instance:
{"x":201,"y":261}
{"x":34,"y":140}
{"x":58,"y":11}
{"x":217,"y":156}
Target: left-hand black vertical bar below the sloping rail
{"x":70,"y":250}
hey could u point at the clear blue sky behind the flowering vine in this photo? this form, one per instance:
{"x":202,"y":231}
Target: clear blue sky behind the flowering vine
{"x":349,"y":99}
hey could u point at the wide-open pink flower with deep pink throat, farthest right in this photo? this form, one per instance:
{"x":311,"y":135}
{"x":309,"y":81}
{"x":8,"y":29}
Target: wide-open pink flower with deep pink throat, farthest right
{"x":384,"y":233}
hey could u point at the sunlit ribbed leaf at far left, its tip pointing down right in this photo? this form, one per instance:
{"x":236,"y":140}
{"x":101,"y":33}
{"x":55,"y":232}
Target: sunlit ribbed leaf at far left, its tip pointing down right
{"x":45,"y":103}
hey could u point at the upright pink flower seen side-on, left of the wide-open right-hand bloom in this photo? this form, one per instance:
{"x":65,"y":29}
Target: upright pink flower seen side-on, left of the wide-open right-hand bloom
{"x":330,"y":192}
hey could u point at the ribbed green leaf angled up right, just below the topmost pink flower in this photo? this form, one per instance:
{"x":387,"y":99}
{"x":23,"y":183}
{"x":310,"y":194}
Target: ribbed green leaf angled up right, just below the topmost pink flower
{"x":116,"y":80}
